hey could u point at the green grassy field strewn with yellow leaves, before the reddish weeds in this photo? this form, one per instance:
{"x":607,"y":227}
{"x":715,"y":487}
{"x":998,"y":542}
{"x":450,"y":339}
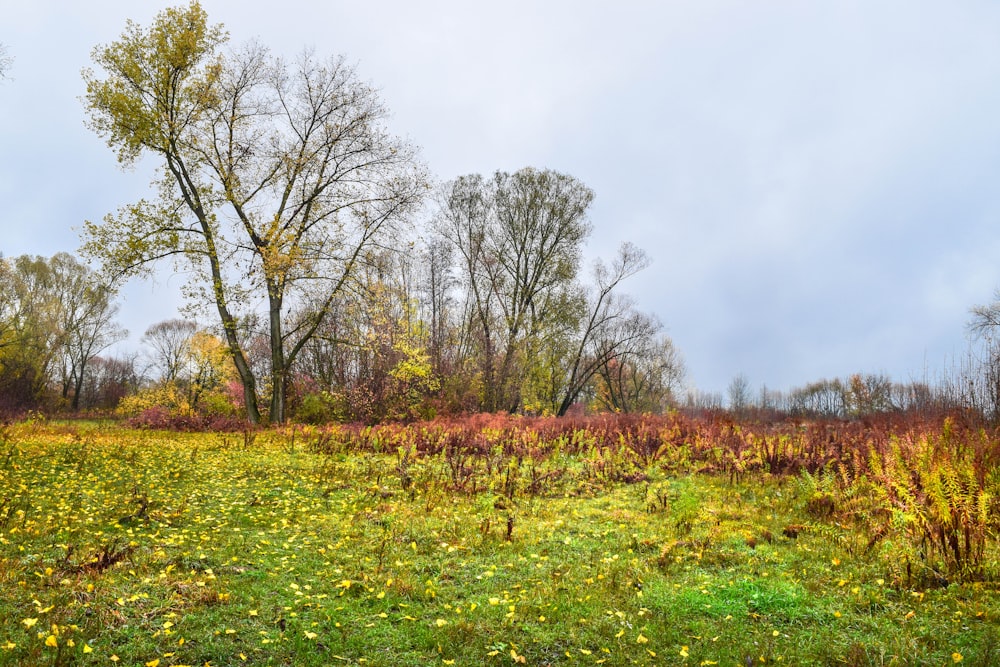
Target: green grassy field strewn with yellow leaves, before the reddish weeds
{"x":285,"y":548}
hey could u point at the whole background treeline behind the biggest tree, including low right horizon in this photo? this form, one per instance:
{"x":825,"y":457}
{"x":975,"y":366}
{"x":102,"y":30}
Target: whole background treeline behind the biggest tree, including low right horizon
{"x":422,"y":332}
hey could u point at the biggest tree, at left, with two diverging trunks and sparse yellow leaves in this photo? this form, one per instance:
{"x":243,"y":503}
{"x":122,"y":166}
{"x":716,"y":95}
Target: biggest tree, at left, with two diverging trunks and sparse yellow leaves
{"x":274,"y":180}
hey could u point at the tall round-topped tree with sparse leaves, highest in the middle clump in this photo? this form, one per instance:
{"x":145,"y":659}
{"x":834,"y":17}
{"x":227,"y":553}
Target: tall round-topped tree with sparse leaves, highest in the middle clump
{"x":518,"y":239}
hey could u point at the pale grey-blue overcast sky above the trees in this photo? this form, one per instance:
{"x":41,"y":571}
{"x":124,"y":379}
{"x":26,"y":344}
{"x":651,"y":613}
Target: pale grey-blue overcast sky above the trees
{"x":815,"y":182}
